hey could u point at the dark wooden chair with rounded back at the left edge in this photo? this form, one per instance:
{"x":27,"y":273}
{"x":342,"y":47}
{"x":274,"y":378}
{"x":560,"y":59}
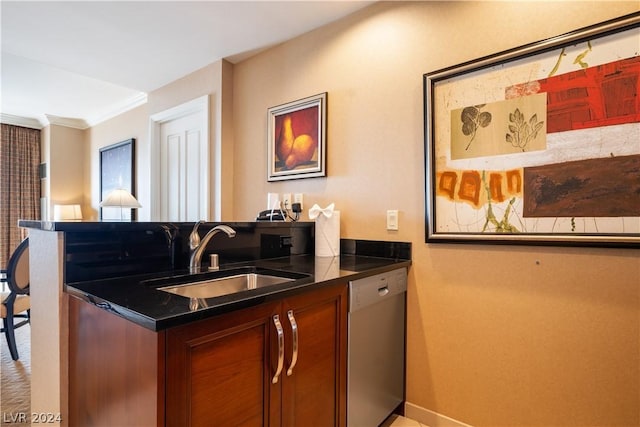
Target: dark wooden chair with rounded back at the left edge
{"x":15,"y":303}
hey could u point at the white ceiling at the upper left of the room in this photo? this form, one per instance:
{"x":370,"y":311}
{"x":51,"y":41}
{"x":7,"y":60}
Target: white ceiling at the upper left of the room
{"x":91,"y":60}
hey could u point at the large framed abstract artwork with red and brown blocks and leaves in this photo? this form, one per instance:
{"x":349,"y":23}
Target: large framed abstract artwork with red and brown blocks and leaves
{"x":539,"y":144}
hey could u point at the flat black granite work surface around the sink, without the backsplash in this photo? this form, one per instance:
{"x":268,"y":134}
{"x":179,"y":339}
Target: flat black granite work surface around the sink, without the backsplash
{"x":132,"y":298}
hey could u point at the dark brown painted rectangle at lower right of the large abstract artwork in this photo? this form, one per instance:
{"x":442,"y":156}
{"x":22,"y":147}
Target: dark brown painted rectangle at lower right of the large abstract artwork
{"x":607,"y":187}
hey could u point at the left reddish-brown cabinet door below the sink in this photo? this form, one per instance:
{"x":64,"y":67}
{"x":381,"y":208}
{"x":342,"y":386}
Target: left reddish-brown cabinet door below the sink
{"x":218,"y":370}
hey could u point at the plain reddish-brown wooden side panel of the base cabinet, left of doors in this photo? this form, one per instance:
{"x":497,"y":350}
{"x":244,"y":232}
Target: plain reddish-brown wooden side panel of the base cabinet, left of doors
{"x":116,"y":370}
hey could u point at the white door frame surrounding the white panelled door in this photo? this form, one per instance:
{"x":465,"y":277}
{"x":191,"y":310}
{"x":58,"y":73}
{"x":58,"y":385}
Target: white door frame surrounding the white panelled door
{"x":195,"y":106}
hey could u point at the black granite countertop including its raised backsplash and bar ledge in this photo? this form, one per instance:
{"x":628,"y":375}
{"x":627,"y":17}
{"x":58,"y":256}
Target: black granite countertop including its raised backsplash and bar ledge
{"x":116,"y":265}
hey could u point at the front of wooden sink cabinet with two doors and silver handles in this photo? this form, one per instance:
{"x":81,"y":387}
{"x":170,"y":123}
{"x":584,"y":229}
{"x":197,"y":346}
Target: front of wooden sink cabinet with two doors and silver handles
{"x":278,"y":364}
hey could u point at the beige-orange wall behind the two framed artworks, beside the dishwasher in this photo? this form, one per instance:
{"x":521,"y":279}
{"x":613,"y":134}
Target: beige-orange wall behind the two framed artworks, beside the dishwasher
{"x":497,"y":335}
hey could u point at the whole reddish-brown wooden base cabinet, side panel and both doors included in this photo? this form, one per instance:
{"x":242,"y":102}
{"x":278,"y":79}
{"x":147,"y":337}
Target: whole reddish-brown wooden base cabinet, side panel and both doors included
{"x":281,"y":363}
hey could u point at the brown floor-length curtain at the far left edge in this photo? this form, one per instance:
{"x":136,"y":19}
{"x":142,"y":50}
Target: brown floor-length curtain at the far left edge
{"x":19,"y":185}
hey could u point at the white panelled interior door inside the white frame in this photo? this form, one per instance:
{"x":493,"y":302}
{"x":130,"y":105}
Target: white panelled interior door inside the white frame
{"x":183,"y":169}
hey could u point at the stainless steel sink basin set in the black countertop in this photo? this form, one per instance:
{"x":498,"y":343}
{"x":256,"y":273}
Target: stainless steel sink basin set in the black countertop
{"x":225,"y":285}
